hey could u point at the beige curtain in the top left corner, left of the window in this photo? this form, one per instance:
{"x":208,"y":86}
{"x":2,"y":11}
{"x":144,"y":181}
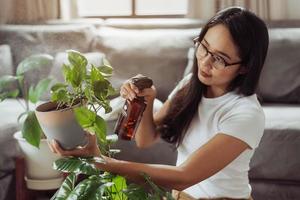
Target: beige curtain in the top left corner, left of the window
{"x":28,"y":11}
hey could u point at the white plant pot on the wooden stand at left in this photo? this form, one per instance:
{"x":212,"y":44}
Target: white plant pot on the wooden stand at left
{"x":39,"y":171}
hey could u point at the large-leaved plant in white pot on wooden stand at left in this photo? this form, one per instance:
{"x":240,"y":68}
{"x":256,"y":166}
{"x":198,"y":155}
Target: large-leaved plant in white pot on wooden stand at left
{"x":38,"y":157}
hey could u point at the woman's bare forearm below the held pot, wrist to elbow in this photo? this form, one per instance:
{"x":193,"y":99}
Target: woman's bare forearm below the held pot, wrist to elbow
{"x":167,"y":176}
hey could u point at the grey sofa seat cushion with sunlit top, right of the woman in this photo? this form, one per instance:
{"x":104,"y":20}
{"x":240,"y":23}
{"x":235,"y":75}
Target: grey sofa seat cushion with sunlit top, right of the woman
{"x":276,"y":158}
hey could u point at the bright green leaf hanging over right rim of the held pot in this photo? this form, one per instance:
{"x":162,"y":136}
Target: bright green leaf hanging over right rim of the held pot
{"x":84,"y":117}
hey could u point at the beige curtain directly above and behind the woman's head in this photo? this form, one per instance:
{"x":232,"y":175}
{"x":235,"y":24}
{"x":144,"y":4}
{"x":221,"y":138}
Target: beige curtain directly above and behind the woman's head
{"x":204,"y":9}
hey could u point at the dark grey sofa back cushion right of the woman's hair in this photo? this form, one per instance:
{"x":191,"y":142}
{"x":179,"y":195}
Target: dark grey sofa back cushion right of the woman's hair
{"x":279,"y":80}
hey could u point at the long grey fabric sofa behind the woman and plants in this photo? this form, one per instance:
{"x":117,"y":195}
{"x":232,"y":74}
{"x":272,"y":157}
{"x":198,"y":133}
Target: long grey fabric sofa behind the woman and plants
{"x":163,"y":50}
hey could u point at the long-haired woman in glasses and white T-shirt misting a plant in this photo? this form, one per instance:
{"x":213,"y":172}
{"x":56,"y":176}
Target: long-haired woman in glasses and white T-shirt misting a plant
{"x":213,"y":115}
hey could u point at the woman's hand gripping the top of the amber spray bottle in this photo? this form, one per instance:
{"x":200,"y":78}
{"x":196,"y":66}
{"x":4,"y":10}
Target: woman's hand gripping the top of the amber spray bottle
{"x":129,"y":91}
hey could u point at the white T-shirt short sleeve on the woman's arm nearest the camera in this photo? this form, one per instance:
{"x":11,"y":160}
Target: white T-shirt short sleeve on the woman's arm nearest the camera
{"x":244,"y":123}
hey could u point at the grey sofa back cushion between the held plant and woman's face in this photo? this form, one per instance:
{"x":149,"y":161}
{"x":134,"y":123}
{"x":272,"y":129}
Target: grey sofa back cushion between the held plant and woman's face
{"x":157,"y":53}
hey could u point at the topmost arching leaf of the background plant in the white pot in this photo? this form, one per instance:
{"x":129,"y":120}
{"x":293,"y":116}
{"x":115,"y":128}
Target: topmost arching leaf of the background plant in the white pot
{"x":34,"y":62}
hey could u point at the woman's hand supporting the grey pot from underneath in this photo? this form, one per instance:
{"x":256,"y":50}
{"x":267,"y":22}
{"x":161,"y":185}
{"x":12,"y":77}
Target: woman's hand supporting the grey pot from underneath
{"x":91,"y":149}
